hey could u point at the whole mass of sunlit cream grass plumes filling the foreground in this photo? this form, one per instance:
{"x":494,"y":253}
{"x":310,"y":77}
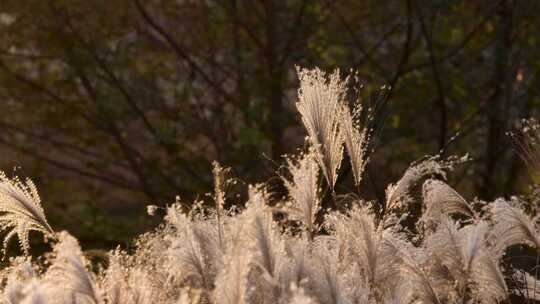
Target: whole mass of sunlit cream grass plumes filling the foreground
{"x":293,"y":251}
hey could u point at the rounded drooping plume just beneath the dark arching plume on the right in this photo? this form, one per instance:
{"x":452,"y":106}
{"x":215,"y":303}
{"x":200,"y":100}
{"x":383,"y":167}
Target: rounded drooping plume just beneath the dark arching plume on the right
{"x":440,"y":199}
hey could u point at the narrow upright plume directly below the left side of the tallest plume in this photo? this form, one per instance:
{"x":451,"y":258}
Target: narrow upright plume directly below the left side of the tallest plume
{"x":304,"y":191}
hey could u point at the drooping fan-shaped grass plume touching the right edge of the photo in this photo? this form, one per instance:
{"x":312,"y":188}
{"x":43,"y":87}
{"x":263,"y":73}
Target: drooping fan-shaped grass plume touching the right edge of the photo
{"x":513,"y":226}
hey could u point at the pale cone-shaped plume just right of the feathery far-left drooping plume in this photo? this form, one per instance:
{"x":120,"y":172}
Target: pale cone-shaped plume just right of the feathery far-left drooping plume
{"x":67,"y":279}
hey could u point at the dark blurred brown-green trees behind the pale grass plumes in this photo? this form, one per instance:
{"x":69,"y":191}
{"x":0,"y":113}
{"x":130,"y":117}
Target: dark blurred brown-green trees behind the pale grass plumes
{"x":112,"y":105}
